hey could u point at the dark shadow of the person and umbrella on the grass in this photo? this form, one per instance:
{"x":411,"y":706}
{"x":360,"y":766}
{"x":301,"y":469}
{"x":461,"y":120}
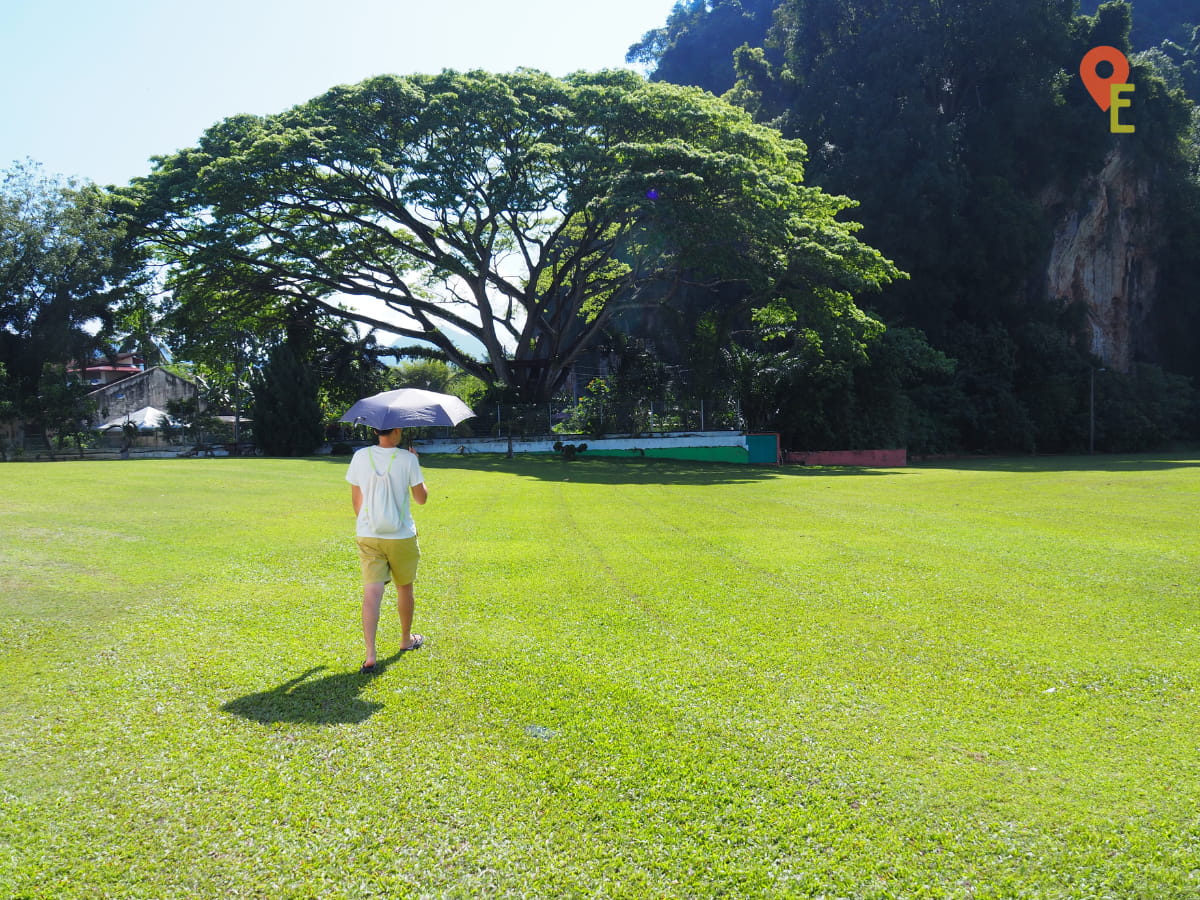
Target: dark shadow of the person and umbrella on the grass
{"x":333,"y":700}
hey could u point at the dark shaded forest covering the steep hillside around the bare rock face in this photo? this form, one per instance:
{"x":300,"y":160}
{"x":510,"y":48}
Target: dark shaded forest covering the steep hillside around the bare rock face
{"x":953,"y":125}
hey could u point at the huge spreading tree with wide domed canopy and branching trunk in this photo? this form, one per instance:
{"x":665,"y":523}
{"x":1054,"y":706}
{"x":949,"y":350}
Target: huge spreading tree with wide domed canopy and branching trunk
{"x":519,"y":211}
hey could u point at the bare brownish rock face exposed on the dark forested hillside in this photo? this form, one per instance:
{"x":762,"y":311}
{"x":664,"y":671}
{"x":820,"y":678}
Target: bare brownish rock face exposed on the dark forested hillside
{"x":1105,"y":255}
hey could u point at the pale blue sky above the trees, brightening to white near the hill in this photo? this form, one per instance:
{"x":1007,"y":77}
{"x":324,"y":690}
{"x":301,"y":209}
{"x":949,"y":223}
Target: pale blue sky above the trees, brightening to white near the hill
{"x":94,"y":88}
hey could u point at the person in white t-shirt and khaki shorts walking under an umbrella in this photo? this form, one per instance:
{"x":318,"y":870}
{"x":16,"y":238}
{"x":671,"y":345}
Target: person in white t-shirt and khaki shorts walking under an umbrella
{"x":383,"y":481}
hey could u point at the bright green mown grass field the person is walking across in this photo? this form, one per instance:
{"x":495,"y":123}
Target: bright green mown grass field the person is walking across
{"x":641,"y":681}
